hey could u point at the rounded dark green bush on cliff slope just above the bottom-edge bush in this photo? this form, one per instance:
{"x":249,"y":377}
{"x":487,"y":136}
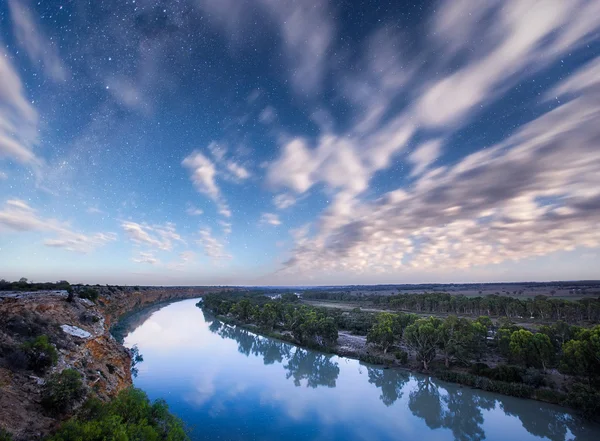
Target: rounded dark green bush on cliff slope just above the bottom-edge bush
{"x":62,"y":390}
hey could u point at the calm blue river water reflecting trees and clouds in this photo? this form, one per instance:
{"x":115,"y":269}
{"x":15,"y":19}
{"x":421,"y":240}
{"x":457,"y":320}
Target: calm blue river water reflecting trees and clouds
{"x":230,"y":384}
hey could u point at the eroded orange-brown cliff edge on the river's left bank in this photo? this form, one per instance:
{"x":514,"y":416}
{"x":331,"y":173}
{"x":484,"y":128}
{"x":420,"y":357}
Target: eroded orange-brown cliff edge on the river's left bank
{"x":80,"y":331}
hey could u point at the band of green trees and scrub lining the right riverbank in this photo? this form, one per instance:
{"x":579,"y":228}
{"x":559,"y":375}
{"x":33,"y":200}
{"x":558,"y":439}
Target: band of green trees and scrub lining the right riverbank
{"x":518,"y":362}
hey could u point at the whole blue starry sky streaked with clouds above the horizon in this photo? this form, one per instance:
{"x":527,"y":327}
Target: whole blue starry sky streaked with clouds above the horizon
{"x":288,"y":142}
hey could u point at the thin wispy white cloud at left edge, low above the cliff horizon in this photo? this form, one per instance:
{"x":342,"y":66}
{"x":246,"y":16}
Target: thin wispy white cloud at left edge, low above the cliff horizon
{"x":18,"y":216}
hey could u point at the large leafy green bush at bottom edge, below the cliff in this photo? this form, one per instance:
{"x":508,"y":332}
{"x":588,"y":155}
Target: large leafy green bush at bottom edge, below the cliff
{"x":130,"y":416}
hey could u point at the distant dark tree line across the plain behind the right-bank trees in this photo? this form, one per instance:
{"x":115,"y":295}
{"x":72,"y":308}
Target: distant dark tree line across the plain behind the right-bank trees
{"x":540,"y":307}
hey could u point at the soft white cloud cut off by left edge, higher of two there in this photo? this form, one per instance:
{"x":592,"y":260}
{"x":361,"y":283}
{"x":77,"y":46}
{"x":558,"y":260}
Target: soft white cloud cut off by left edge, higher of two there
{"x":18,"y":118}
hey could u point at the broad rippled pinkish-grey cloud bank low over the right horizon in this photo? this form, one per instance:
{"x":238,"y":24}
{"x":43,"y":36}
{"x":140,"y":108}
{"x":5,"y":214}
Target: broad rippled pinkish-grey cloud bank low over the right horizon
{"x":530,"y":195}
